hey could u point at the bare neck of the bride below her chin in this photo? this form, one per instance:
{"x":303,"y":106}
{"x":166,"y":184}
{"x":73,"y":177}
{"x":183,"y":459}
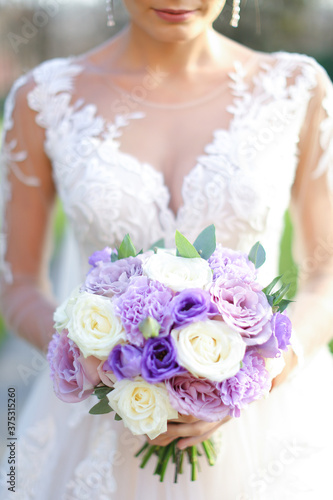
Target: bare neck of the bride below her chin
{"x":137,"y":50}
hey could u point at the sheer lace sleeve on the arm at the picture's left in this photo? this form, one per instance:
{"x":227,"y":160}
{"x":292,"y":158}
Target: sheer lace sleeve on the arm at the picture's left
{"x":27,"y":199}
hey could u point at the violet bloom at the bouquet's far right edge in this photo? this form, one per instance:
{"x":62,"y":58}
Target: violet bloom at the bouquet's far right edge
{"x":280,"y":338}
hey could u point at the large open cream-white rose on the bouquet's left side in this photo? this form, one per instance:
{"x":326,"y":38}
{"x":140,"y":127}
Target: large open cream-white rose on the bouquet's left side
{"x":94,"y":327}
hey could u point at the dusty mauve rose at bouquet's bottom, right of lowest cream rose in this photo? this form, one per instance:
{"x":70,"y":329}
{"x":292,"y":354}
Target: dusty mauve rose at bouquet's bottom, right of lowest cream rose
{"x":198,"y":397}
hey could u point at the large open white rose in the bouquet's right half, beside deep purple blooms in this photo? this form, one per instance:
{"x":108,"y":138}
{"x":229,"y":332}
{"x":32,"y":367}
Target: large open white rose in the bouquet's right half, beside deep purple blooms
{"x":209,"y":349}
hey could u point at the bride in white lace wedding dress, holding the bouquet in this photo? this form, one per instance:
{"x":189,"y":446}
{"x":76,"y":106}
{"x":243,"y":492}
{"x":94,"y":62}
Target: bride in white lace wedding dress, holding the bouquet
{"x":168,"y":126}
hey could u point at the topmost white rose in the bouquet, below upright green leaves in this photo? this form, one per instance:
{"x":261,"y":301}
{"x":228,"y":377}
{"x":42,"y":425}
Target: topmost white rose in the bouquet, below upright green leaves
{"x":178,"y":273}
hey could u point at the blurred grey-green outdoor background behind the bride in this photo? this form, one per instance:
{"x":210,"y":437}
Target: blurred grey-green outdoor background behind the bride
{"x":32,"y":31}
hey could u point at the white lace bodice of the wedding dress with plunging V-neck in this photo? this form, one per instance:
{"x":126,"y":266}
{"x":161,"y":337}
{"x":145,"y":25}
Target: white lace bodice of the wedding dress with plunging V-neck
{"x":241,"y":182}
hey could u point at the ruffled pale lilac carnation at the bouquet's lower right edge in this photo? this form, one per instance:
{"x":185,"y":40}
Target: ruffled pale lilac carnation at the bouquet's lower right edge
{"x":249,"y":384}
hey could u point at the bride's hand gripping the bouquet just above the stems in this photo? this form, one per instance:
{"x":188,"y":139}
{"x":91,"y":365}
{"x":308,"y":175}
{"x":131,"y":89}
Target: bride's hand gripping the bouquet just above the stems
{"x":193,"y":431}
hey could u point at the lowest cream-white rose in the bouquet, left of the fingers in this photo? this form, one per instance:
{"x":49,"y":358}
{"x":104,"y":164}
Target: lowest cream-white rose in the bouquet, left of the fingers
{"x":145,"y":408}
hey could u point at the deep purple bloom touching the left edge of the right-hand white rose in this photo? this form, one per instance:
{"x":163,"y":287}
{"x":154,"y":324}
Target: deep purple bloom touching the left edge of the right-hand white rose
{"x":159,"y":359}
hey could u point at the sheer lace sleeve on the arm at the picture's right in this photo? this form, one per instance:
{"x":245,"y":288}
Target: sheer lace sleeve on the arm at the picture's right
{"x":312,"y":210}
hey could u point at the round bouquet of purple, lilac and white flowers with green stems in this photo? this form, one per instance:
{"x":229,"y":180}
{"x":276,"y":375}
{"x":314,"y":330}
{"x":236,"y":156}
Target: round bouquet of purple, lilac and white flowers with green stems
{"x":153,"y":335}
